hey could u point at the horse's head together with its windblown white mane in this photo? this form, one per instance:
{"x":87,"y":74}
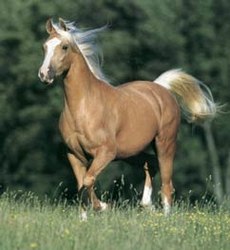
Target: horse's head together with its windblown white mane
{"x":64,"y":41}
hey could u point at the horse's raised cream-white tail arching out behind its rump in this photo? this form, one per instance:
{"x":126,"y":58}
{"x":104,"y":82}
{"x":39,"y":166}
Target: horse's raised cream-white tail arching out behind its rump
{"x":194,"y":97}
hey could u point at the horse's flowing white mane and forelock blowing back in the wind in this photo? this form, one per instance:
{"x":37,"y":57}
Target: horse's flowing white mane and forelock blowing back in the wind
{"x":85,"y":41}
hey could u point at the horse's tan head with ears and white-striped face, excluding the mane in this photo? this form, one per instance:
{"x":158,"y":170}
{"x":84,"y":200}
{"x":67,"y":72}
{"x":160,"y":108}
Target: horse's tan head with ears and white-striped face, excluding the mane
{"x":57,"y":50}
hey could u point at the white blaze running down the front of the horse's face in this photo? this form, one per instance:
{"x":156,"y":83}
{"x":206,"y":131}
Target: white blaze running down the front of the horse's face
{"x":51,"y":45}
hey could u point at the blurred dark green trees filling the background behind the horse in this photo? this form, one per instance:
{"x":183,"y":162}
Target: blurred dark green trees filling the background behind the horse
{"x":144,"y":38}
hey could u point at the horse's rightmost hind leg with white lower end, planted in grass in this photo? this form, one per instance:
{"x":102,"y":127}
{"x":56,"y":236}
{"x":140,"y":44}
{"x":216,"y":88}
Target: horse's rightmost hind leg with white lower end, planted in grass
{"x":166,"y":151}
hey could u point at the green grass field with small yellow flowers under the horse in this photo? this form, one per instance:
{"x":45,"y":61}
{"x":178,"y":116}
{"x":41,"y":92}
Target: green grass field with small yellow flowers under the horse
{"x":27,"y":223}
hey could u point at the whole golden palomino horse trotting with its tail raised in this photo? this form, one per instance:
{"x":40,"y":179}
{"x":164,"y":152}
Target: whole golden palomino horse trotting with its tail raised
{"x":100,"y":122}
